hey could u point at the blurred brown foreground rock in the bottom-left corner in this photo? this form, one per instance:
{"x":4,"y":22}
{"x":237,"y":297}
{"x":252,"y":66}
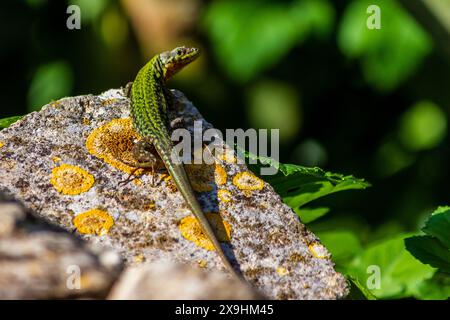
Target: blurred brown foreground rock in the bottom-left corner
{"x":41,"y":261}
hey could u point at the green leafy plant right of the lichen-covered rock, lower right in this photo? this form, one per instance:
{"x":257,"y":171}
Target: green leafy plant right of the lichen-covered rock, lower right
{"x":400,"y":274}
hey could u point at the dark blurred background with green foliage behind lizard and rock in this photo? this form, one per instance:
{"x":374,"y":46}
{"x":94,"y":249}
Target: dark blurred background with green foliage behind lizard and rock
{"x":372,"y":103}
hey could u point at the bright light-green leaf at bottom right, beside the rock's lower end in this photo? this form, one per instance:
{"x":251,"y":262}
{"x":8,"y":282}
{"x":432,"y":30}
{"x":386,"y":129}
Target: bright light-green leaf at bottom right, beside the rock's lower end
{"x":400,"y":273}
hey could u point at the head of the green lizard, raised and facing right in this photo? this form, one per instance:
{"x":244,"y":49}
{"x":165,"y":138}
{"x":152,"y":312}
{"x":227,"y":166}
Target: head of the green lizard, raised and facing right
{"x":176,"y":59}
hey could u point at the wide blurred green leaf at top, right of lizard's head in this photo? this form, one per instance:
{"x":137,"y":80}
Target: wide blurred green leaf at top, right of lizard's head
{"x":250,"y":36}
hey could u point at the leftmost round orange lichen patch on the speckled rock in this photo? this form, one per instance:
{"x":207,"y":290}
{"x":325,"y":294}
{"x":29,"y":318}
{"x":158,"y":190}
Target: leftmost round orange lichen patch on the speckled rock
{"x":71,"y":180}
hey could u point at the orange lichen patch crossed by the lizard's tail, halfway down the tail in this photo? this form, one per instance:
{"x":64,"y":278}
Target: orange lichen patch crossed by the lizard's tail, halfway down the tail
{"x":191,"y":230}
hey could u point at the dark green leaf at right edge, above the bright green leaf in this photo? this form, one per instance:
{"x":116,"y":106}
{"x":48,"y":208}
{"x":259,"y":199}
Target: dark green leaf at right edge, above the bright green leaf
{"x":429,"y":250}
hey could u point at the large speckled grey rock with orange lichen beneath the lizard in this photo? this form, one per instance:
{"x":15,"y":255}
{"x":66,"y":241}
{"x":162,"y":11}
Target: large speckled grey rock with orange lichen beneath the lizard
{"x":146,"y":221}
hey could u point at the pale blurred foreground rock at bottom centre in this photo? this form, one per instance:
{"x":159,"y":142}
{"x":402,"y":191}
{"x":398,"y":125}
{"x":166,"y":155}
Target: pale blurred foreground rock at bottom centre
{"x":166,"y":280}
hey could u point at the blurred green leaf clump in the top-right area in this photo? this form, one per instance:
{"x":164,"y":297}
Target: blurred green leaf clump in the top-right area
{"x":389,"y":55}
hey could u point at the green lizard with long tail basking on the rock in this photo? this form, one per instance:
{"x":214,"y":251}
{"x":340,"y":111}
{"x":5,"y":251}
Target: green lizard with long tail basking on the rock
{"x":150,"y":102}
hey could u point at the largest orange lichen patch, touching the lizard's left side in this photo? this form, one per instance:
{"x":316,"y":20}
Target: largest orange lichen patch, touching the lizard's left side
{"x":113,"y":142}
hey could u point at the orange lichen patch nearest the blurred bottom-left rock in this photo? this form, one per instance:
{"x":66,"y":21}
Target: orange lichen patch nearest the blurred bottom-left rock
{"x":94,"y":221}
